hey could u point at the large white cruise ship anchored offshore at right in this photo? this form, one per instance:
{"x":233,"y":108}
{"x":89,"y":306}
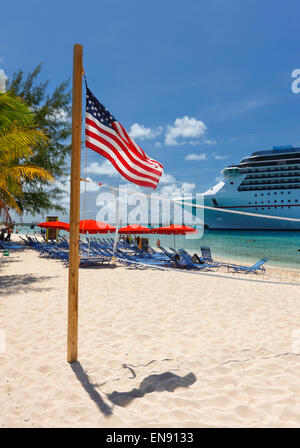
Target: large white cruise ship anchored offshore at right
{"x":266,"y":183}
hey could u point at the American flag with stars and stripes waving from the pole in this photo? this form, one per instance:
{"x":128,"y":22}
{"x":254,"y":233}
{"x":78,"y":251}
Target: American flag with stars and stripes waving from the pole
{"x":105,"y":135}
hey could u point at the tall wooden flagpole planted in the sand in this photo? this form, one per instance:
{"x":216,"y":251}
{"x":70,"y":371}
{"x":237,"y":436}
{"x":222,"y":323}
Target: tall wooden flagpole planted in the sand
{"x":75,"y":205}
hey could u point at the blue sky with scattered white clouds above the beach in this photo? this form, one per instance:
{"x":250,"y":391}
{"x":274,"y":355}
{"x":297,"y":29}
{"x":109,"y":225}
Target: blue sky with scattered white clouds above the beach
{"x":204,"y":83}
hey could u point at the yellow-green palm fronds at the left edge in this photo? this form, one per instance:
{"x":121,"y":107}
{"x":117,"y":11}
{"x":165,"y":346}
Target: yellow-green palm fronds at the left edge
{"x":18,"y":137}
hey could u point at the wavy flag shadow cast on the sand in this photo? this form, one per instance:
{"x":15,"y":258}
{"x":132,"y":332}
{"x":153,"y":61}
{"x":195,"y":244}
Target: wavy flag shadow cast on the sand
{"x":167,"y":381}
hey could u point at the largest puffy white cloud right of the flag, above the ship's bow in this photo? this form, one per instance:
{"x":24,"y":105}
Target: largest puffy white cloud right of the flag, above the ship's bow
{"x":185,"y":127}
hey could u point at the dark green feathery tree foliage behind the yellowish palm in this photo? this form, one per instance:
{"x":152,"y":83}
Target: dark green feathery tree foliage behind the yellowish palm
{"x":52,"y":113}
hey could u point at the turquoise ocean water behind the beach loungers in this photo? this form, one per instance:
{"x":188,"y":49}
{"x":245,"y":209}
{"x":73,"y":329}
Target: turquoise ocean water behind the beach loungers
{"x":281,"y":247}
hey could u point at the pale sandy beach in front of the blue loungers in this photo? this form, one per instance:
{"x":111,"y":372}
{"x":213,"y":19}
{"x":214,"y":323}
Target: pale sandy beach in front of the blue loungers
{"x":156,"y":348}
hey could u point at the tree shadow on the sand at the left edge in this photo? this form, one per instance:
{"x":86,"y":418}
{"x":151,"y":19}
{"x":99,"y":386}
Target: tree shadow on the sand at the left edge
{"x":12,"y":284}
